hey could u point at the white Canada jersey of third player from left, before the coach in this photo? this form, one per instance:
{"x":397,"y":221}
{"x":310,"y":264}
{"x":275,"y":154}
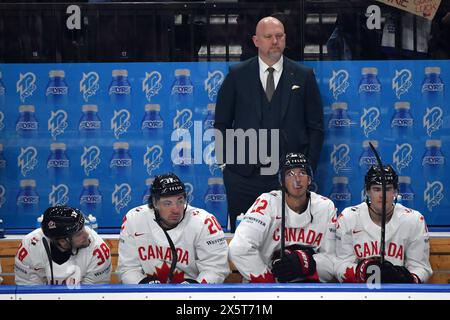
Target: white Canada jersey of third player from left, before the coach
{"x":258,"y":235}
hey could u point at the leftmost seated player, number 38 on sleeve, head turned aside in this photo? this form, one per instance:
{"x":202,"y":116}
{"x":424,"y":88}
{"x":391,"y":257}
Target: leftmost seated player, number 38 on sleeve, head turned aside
{"x":62,"y":251}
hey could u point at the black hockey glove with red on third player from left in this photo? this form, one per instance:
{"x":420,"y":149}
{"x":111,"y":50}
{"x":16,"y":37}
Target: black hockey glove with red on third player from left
{"x":295,"y":265}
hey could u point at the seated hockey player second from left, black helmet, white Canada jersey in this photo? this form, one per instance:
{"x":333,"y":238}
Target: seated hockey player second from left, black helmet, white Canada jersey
{"x":168,"y":241}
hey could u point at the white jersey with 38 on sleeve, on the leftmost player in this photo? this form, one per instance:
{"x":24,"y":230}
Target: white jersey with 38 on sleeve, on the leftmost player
{"x":91,"y":265}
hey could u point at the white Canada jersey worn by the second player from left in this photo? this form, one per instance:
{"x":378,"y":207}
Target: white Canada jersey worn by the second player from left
{"x":144,"y":250}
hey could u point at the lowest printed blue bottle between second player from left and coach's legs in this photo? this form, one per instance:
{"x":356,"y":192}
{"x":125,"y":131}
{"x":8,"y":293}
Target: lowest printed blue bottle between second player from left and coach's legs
{"x":216,"y":200}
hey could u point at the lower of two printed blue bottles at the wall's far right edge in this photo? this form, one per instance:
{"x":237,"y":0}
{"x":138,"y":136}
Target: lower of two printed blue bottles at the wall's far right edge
{"x":433,"y":161}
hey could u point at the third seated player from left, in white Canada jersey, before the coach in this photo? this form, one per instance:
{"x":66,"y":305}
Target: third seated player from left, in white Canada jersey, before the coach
{"x":309,"y":233}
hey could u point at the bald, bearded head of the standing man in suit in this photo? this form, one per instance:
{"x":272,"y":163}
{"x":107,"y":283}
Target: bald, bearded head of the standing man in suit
{"x":270,"y":40}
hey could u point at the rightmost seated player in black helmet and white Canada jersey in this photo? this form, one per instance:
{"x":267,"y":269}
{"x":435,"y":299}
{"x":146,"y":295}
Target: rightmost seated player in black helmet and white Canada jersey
{"x":358,"y":236}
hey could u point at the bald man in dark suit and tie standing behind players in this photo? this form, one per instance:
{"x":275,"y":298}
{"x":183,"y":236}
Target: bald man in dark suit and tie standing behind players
{"x":268,"y":92}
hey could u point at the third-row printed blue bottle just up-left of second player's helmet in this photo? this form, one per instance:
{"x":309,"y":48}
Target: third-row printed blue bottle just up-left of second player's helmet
{"x":121,"y":162}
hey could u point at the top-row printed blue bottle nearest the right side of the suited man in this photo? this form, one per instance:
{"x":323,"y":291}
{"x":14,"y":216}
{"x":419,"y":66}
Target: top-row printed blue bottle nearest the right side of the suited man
{"x":369,"y":88}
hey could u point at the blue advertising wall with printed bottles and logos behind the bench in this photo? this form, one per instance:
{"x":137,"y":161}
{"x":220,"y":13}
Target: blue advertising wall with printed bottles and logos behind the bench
{"x":93,"y":135}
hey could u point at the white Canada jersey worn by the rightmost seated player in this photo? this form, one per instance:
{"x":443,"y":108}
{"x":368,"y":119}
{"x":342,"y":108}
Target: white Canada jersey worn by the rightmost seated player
{"x":358,"y":238}
